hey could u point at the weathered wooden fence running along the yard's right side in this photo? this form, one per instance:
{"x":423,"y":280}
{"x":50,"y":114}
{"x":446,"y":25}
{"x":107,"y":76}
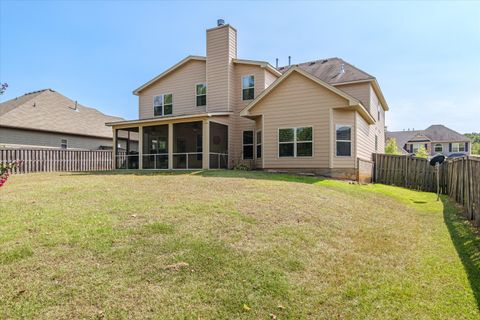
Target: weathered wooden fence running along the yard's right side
{"x":459,"y":178}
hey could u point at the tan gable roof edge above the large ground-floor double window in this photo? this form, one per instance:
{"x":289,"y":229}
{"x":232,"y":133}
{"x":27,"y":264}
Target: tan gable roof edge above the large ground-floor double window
{"x":352,"y":102}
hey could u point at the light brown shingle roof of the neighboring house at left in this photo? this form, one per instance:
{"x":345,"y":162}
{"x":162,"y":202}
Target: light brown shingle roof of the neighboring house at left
{"x":48,"y":110}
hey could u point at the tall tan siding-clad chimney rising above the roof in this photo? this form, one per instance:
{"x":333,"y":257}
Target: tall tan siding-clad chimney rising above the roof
{"x":221,"y":49}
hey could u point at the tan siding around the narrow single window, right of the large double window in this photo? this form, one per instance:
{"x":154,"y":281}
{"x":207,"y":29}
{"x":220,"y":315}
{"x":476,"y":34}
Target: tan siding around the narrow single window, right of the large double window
{"x":344,"y":117}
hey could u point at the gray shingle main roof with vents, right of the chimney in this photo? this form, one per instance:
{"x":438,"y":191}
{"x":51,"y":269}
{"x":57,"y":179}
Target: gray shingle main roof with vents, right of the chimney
{"x":332,"y":70}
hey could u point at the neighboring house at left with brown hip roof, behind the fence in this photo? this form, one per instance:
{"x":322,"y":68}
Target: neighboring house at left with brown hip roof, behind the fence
{"x":47,"y":119}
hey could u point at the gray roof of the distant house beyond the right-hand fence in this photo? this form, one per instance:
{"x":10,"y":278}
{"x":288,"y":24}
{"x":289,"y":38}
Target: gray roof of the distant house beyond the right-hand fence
{"x":435,"y":133}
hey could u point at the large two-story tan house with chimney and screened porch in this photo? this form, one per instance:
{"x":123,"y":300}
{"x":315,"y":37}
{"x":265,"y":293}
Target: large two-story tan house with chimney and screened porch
{"x":218,"y":111}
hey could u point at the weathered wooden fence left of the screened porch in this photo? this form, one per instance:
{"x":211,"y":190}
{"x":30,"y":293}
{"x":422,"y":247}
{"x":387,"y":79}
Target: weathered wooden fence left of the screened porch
{"x":45,"y":160}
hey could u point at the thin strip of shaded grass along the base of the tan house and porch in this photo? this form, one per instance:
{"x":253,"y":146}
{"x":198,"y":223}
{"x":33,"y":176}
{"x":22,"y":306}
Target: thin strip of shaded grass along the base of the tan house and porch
{"x":257,"y":175}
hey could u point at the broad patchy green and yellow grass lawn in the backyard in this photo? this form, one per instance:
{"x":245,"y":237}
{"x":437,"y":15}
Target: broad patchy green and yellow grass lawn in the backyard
{"x":231,"y":245}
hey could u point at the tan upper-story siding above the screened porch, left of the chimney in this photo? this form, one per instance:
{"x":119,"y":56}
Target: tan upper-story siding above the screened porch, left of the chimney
{"x":181,"y":83}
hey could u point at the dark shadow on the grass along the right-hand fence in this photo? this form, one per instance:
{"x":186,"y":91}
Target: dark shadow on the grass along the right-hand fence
{"x":466,"y":240}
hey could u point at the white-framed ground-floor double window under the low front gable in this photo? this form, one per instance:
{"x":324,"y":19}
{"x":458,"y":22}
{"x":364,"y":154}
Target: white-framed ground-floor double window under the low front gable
{"x":295,"y":142}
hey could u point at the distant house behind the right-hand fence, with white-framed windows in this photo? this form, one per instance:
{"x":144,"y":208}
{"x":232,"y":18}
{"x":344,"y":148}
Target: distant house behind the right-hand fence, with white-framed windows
{"x":436,"y":139}
